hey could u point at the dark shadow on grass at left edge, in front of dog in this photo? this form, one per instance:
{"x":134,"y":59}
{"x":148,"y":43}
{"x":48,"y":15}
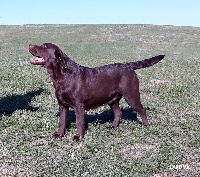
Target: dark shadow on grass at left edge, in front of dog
{"x":10,"y":104}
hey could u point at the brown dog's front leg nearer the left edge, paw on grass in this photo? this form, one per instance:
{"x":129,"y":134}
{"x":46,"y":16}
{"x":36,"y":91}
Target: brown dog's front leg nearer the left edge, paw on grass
{"x":63,"y":122}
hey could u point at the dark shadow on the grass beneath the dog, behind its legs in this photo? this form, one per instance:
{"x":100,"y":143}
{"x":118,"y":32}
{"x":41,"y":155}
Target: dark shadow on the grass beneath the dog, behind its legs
{"x":104,"y":117}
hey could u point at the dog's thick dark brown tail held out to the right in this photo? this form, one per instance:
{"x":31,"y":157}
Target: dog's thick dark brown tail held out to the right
{"x":145,"y":63}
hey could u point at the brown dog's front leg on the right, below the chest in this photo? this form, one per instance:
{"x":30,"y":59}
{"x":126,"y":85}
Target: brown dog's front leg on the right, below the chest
{"x":80,"y":123}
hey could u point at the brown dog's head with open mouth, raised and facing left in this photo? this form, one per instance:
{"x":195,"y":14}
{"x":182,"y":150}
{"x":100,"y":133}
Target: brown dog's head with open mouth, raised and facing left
{"x":47,"y":54}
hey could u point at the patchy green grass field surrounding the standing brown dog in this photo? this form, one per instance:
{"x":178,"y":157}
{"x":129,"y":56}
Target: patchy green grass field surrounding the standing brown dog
{"x":170,"y":91}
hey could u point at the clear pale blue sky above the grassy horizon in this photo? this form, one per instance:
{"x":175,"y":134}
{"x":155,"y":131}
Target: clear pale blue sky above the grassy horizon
{"x":157,"y":12}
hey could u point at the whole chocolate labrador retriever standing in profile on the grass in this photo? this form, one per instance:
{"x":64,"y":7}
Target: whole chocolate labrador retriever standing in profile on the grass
{"x":84,"y":88}
